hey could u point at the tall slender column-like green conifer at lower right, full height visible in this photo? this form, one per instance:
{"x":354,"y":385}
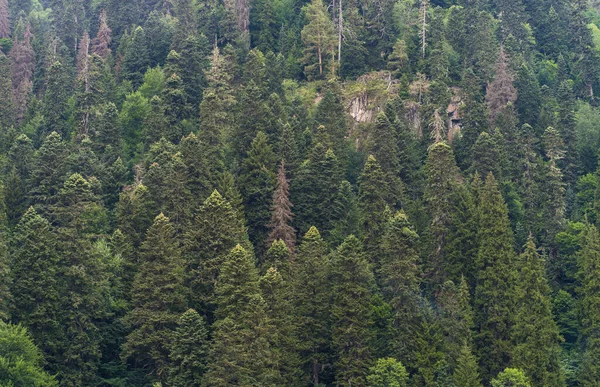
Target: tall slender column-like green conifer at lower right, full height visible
{"x":495,"y":295}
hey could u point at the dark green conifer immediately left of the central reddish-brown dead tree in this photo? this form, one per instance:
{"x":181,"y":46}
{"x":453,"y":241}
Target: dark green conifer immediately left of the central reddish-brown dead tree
{"x":257,"y":183}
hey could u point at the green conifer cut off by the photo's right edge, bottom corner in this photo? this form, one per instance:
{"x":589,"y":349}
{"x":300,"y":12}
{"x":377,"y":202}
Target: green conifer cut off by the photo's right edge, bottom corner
{"x":590,"y":320}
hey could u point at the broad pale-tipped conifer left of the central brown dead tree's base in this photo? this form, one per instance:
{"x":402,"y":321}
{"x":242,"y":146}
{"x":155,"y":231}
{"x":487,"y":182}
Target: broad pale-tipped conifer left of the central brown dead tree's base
{"x":215,"y":230}
